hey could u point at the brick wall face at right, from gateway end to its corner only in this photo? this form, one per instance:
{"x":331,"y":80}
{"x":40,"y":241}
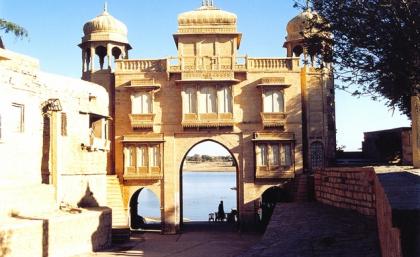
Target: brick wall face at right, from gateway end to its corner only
{"x":348,"y":188}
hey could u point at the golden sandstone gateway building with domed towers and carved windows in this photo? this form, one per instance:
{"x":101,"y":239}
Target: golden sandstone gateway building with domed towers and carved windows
{"x":274,"y":115}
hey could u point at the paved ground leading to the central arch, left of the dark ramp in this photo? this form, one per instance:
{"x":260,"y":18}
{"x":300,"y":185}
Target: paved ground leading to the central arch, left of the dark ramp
{"x":197,"y":240}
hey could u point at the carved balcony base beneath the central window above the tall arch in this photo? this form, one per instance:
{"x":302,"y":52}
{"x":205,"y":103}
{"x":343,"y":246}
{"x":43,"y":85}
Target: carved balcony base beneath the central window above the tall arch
{"x":207,"y":120}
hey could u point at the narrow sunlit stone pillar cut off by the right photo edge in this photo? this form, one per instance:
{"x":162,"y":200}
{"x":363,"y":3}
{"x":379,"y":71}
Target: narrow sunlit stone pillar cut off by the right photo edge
{"x":415,"y":117}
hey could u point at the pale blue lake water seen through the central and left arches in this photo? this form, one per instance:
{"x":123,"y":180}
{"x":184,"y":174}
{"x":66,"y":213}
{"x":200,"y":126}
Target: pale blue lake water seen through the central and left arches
{"x":202,"y":192}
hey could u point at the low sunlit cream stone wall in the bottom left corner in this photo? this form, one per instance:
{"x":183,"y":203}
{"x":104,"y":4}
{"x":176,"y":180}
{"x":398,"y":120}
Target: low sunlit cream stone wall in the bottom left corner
{"x":58,"y":234}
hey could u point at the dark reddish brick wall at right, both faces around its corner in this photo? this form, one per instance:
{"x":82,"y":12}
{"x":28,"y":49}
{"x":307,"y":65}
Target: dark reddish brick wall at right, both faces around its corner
{"x":360,"y":189}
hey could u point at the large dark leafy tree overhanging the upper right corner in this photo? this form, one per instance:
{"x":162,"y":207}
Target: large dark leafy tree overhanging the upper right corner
{"x":375,"y":46}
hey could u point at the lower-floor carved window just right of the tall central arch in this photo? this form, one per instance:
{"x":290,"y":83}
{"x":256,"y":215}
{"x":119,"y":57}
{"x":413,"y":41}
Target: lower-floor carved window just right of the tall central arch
{"x":273,"y":155}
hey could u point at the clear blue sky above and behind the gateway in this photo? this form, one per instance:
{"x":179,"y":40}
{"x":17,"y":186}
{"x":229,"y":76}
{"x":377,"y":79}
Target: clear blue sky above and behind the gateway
{"x":55,"y":28}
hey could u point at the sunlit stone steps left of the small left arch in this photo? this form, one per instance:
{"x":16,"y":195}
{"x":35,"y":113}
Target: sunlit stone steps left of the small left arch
{"x":120,"y":227}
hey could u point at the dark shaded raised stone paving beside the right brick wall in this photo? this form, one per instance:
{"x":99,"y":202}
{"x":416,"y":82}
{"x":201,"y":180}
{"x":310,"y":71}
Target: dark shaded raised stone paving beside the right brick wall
{"x":317,"y":230}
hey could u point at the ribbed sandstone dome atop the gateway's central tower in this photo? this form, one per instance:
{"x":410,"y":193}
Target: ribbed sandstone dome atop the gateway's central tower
{"x":205,"y":16}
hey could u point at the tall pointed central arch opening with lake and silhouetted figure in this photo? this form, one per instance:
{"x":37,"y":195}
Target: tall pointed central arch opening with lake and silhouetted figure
{"x":209,"y":177}
